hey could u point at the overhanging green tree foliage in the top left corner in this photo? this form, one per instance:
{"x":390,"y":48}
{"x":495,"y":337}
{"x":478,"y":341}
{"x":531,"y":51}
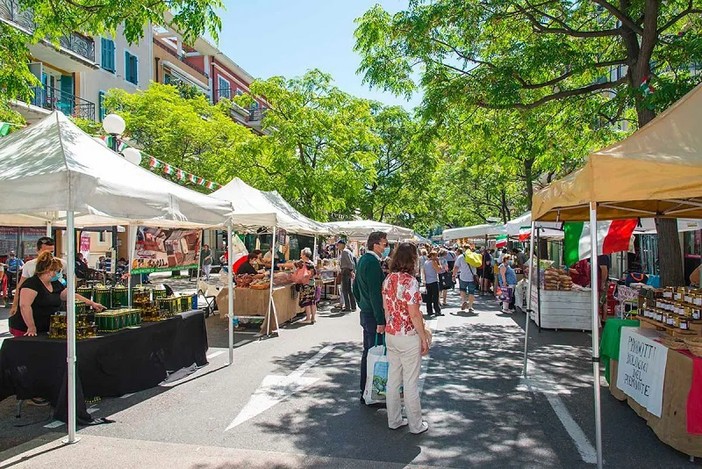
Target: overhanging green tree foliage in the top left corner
{"x":54,"y":19}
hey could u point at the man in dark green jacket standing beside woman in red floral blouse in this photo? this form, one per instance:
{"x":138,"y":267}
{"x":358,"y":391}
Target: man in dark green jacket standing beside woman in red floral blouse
{"x":368,"y":292}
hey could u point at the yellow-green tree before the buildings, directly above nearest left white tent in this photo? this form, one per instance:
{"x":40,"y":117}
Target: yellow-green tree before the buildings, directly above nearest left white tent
{"x":189,"y":133}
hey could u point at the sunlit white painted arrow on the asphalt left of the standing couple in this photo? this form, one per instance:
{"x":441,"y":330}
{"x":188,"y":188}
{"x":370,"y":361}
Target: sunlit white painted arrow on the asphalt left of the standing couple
{"x":276,"y":388}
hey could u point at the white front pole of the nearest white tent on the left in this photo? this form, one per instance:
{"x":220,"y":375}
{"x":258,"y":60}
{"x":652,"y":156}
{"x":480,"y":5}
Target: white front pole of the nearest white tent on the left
{"x":71,"y":322}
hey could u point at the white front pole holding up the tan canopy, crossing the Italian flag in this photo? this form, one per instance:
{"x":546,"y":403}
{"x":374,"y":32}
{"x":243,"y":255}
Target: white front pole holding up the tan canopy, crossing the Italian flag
{"x":595,"y":330}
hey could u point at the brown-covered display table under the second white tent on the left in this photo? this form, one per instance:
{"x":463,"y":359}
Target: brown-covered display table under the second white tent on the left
{"x":250,"y":302}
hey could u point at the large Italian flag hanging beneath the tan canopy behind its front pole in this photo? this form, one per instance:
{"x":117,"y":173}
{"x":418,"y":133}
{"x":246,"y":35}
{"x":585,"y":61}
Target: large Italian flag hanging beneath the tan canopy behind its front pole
{"x":612,"y":236}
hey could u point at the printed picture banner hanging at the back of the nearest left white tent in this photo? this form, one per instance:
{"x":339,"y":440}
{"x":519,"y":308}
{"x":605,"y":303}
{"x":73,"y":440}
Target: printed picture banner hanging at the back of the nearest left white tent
{"x":164,"y":250}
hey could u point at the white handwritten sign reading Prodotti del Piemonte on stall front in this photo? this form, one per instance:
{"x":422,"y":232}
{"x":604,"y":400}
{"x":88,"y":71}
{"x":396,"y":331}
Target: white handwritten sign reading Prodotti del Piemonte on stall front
{"x":641,"y":369}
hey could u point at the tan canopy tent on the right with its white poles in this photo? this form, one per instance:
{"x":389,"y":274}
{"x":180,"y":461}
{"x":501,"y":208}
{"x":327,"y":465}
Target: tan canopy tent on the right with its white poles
{"x":656,"y":172}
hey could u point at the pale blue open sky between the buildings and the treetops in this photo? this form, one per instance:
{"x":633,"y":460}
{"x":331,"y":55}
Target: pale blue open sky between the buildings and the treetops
{"x":284,"y":37}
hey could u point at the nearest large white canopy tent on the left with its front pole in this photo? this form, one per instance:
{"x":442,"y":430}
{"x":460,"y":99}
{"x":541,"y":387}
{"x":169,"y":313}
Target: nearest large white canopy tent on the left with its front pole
{"x":54,"y":173}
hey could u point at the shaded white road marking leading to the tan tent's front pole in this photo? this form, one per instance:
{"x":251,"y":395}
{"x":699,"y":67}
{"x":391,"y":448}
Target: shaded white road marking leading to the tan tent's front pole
{"x":541,"y":382}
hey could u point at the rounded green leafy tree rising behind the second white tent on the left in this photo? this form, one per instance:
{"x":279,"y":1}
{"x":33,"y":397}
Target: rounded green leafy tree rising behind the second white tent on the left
{"x":318,"y":150}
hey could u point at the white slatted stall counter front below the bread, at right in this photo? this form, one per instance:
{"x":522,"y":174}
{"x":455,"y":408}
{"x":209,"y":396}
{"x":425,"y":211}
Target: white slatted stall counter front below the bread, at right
{"x":570,"y":309}
